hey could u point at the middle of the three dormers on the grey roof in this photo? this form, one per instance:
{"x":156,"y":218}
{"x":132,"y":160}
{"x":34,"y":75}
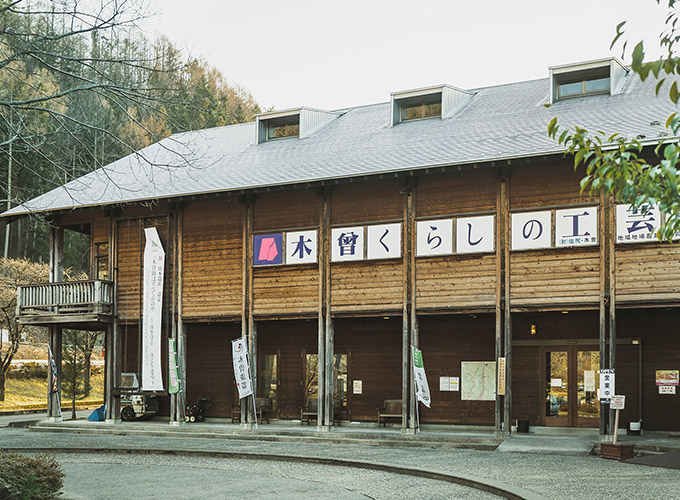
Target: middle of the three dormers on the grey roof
{"x":441,"y":101}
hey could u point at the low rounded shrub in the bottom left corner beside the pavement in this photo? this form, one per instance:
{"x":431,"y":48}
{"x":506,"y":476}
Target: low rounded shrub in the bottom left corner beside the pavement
{"x":29,"y":478}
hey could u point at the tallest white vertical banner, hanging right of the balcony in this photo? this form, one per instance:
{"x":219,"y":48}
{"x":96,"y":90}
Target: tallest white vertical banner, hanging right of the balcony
{"x":154,"y":265}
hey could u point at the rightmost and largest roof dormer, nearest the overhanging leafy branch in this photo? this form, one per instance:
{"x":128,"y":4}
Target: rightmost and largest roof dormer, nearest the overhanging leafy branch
{"x":602,"y":76}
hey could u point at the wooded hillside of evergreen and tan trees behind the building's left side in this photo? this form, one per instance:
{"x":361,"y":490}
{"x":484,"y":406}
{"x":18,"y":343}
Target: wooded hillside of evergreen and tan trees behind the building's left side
{"x":80,"y":86}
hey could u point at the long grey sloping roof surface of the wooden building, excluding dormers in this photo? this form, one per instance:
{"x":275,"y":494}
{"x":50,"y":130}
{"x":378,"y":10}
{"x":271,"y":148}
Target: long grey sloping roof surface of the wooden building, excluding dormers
{"x":500,"y":122}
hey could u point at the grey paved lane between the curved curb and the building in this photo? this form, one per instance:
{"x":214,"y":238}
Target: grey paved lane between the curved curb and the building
{"x":551,"y":476}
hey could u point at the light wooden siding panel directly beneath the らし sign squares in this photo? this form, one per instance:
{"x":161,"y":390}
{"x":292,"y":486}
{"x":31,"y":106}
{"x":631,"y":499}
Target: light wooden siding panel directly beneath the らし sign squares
{"x":456,"y":281}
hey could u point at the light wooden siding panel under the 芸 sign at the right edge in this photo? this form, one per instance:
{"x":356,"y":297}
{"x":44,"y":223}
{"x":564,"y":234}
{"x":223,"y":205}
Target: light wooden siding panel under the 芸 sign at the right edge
{"x":647,"y":272}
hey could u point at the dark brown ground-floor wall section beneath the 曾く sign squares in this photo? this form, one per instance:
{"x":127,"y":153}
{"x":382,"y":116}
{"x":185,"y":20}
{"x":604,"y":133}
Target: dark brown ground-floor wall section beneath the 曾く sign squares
{"x":373,"y":346}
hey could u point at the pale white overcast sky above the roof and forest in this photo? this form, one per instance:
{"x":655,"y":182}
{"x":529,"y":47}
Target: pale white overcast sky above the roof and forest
{"x":334,"y":54}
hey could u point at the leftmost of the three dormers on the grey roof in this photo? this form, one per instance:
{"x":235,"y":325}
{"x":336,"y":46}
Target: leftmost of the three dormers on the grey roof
{"x":295,"y":122}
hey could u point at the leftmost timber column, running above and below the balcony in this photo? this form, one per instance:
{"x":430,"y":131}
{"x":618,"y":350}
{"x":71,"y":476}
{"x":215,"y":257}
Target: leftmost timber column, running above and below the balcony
{"x":56,"y":275}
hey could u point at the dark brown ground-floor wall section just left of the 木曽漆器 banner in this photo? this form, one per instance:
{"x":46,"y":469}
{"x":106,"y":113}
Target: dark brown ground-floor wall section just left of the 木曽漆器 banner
{"x":209,"y":367}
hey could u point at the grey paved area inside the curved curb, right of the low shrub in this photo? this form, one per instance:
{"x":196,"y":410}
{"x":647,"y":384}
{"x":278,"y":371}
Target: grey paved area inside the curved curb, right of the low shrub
{"x":119,"y":476}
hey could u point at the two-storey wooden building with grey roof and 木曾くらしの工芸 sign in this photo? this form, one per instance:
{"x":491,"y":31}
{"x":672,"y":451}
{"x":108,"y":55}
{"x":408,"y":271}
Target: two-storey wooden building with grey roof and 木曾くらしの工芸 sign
{"x":333,"y":241}
